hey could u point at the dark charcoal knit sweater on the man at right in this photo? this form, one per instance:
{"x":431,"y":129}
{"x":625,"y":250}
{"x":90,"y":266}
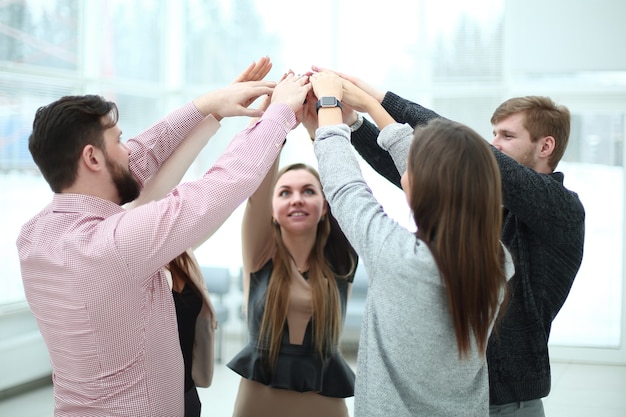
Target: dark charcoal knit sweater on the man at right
{"x":543,"y":228}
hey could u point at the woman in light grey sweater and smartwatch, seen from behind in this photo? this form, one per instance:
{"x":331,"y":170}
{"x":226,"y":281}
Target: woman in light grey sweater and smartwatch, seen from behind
{"x":433,"y":294}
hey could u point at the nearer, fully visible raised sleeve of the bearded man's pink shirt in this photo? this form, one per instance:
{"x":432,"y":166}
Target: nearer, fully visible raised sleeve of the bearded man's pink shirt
{"x":157,"y":232}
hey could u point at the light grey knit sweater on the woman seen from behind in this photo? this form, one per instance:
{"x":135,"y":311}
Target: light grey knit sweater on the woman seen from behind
{"x":408,"y":362}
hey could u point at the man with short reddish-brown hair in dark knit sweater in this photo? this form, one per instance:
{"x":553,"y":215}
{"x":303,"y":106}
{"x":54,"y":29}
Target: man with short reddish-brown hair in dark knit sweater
{"x":543,"y":227}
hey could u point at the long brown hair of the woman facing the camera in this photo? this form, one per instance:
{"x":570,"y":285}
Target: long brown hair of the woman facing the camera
{"x":332,"y":256}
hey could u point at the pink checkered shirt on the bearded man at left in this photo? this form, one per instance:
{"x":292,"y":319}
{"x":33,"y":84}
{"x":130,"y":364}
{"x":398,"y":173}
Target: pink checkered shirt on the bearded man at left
{"x":93,"y":275}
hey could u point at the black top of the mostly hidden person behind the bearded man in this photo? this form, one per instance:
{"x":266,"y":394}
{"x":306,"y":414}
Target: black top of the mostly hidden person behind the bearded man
{"x":188,"y":305}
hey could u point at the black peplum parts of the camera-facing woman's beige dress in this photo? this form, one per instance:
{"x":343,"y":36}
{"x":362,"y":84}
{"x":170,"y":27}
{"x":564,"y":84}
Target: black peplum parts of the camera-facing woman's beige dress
{"x":298,"y":368}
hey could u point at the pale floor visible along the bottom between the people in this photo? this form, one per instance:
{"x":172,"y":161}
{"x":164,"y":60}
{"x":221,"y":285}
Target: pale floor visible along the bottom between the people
{"x":577,"y":391}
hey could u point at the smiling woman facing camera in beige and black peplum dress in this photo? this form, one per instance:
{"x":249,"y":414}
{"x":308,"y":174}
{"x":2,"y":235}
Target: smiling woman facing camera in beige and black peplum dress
{"x":298,"y":268}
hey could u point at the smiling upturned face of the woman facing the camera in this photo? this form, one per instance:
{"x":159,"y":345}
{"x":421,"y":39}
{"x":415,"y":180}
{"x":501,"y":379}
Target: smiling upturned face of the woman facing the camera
{"x":298,"y":202}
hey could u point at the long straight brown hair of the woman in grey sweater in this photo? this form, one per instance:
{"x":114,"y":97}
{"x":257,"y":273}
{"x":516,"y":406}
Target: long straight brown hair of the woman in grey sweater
{"x":456,"y":199}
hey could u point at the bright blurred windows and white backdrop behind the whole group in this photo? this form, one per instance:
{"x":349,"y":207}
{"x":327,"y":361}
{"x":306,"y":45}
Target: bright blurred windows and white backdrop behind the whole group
{"x":459,"y":58}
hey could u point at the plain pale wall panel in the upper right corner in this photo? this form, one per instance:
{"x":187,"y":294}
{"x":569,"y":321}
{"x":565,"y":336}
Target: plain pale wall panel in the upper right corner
{"x":565,"y":36}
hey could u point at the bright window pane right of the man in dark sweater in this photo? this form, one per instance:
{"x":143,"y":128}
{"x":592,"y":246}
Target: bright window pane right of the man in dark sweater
{"x":594,"y":168}
